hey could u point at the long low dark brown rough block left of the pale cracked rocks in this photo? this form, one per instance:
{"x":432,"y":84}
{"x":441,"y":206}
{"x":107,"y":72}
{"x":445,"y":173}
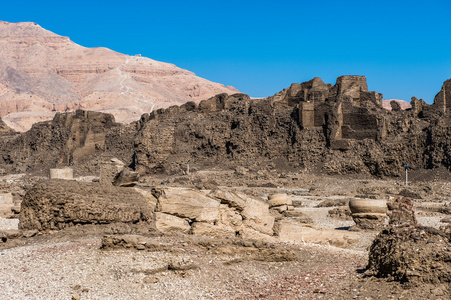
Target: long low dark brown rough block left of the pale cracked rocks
{"x":58,"y":204}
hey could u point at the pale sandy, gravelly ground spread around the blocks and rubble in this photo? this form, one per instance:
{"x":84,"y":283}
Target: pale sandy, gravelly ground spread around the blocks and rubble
{"x":80,"y":263}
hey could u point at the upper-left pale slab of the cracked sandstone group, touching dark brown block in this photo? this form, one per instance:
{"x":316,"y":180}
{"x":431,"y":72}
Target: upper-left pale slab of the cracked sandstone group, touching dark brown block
{"x":187,"y":203}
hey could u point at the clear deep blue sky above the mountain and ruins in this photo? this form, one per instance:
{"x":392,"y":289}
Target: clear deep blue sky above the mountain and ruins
{"x":261,"y":47}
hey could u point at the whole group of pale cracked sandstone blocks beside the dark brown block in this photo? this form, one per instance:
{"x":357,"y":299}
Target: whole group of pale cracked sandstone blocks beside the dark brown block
{"x":220,"y":214}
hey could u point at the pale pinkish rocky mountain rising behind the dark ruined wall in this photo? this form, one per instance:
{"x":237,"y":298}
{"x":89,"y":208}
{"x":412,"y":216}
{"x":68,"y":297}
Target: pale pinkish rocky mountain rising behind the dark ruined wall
{"x":42,"y":73}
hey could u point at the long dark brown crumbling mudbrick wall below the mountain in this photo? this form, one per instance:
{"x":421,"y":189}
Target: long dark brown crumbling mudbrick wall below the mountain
{"x":335,"y":129}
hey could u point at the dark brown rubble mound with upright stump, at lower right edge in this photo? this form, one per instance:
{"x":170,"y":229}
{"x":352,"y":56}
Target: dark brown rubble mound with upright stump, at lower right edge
{"x":408,"y":252}
